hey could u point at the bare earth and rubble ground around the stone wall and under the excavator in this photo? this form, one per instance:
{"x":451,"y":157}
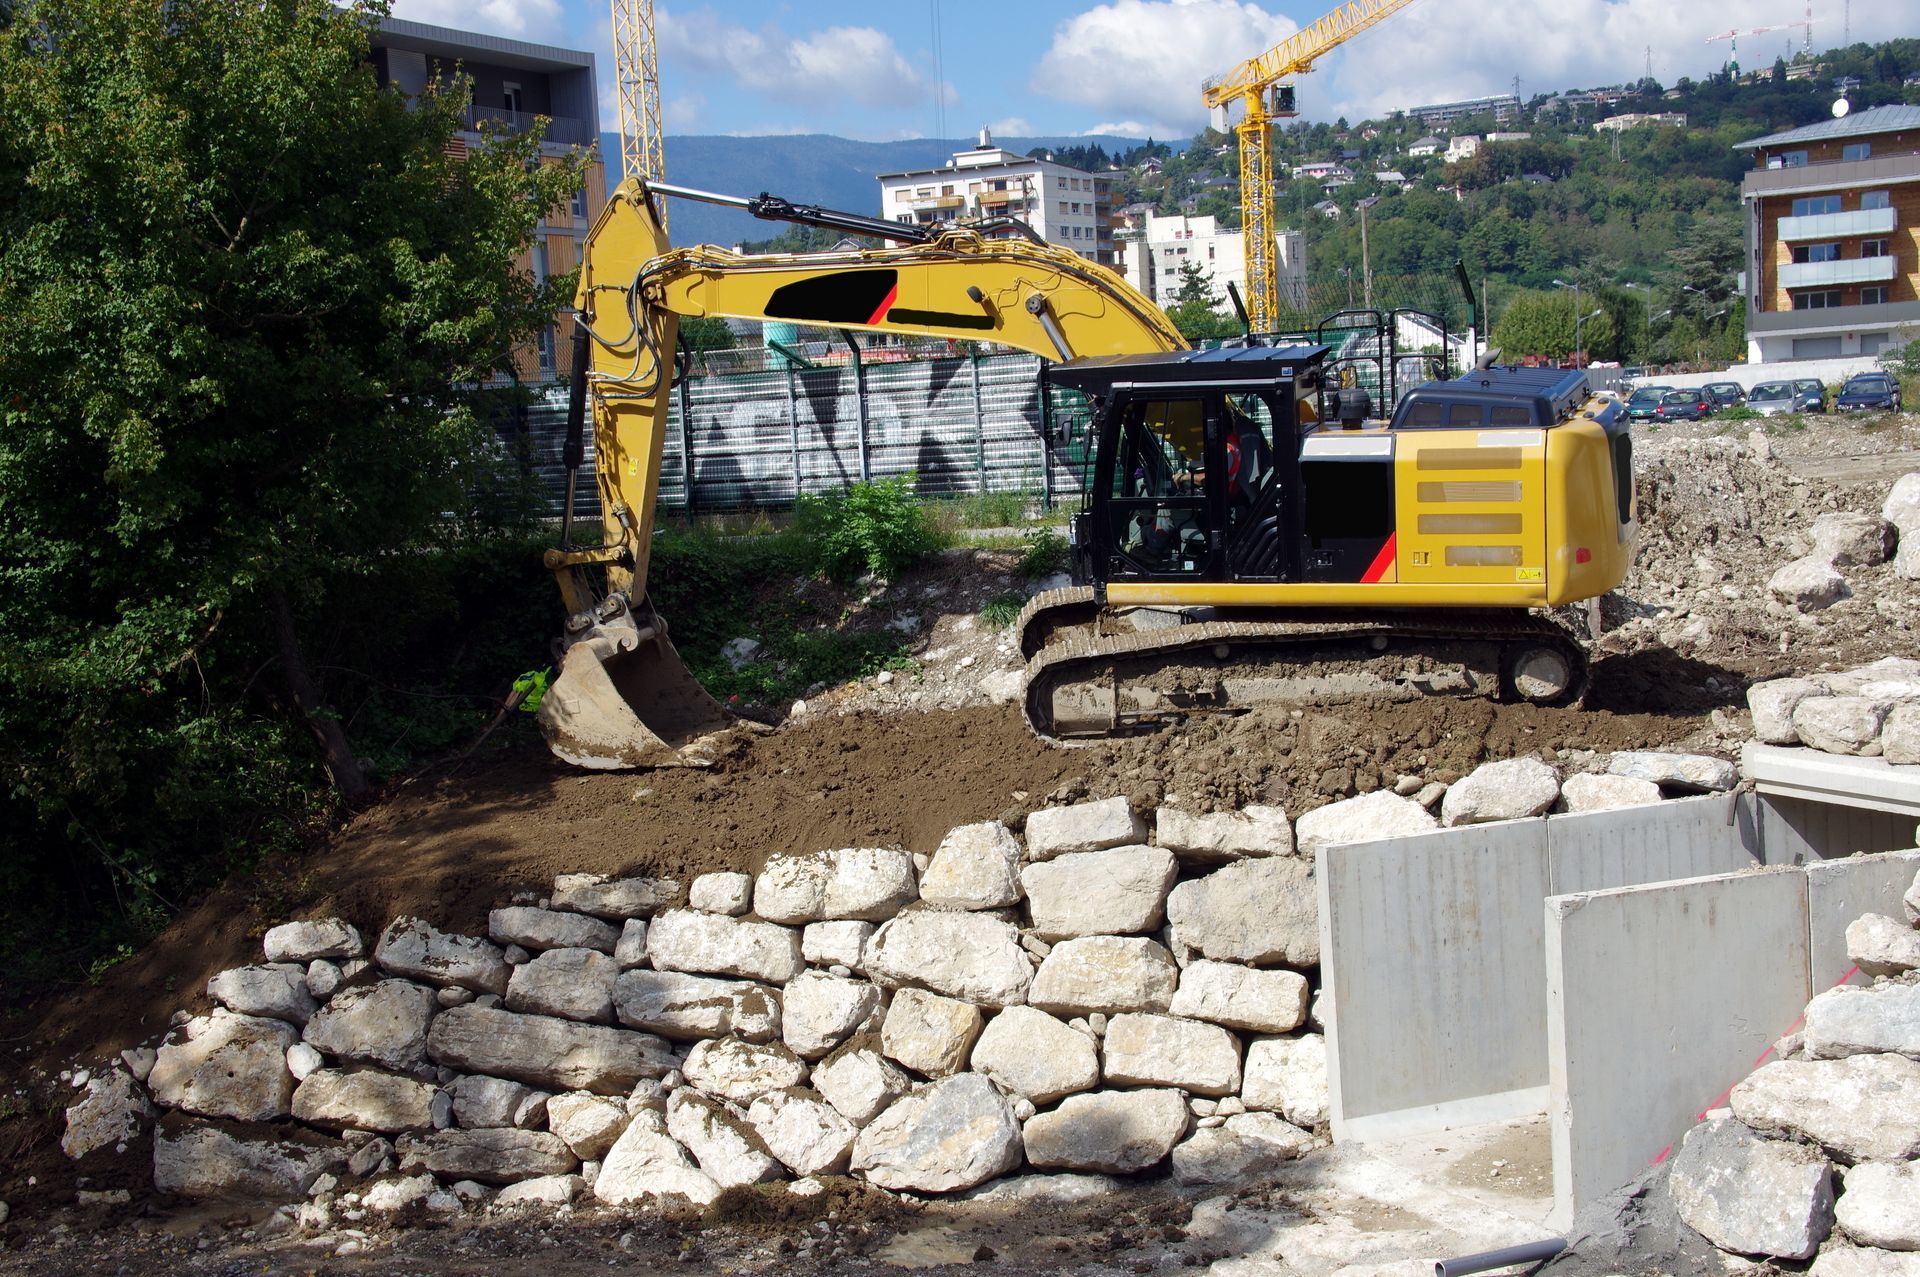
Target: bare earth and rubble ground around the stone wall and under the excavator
{"x":900,"y":759}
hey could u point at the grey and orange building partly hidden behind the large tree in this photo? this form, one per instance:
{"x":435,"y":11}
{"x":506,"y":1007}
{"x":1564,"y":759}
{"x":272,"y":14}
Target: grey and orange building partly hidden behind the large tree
{"x":516,"y":84}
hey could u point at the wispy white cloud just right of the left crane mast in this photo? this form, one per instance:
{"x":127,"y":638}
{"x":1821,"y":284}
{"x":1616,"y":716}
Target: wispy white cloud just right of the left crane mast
{"x":811,"y":70}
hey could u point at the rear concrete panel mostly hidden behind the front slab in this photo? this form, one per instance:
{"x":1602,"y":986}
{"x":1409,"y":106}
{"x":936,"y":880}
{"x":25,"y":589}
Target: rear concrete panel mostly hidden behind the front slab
{"x":1685,"y":838}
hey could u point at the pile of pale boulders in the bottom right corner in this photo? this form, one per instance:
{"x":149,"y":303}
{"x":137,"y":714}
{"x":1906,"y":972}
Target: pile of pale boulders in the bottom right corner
{"x":1817,"y":1151}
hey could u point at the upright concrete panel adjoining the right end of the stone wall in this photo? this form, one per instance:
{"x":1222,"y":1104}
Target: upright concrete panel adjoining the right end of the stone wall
{"x":1431,"y":948}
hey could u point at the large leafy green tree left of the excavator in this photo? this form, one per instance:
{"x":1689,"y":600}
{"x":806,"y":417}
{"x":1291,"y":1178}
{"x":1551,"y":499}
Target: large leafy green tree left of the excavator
{"x":239,"y":285}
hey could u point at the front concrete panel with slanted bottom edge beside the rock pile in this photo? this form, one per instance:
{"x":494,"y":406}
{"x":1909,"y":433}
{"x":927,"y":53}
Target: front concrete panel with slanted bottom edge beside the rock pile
{"x":1660,"y":1000}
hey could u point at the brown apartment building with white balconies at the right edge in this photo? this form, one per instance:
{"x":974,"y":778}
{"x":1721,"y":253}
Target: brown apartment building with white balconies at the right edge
{"x":1831,"y":216}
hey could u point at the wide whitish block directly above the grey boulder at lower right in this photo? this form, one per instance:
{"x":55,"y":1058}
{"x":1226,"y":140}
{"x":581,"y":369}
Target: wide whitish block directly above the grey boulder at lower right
{"x":1860,"y":1109}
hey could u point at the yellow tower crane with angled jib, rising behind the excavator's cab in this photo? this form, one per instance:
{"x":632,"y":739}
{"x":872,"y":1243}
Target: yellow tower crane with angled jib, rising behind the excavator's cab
{"x":1249,"y":85}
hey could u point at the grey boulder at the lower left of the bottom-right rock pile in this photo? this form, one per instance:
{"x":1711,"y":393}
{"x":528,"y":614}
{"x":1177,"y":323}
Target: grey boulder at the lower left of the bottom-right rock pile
{"x":1752,"y":1195}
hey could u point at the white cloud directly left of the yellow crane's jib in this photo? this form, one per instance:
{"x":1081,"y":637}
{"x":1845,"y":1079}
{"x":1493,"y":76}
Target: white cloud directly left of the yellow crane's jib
{"x":1147,"y":59}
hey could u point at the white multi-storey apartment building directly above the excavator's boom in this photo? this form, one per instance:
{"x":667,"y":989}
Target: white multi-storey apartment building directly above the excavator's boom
{"x":1065,"y":206}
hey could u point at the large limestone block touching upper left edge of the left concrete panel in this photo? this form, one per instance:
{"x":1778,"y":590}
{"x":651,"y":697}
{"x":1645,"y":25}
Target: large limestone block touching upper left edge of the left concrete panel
{"x":1264,"y":913}
